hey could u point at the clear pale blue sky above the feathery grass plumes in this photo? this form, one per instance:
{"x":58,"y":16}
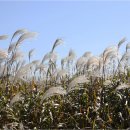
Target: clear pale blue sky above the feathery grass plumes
{"x":83,"y":25}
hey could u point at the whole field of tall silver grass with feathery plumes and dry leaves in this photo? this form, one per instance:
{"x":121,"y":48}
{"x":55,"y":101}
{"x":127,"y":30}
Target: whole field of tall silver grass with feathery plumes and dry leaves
{"x":92,"y":92}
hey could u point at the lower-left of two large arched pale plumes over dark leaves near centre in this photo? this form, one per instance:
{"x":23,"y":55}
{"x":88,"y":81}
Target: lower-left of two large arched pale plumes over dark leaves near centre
{"x":54,"y":91}
